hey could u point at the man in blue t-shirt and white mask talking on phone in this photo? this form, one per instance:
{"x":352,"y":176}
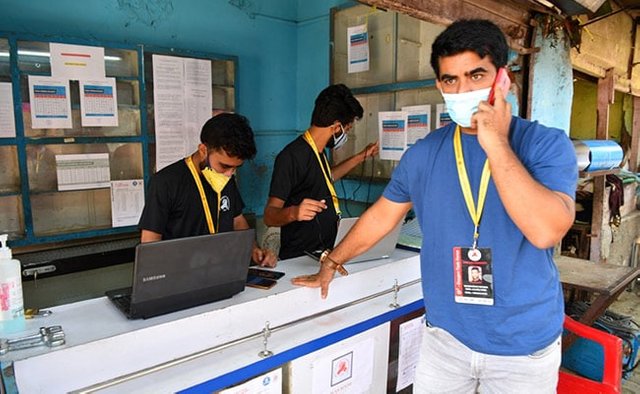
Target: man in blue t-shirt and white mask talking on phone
{"x":491,"y":191}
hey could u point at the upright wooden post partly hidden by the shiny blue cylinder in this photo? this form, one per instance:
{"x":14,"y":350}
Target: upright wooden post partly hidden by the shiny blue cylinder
{"x":606,"y":95}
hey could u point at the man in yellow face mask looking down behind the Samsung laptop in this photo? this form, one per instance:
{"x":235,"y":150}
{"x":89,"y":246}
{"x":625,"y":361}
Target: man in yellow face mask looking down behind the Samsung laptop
{"x":198,"y":195}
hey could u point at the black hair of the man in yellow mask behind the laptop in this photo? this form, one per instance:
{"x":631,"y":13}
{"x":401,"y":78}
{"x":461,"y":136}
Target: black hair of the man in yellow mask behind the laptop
{"x":231,"y":133}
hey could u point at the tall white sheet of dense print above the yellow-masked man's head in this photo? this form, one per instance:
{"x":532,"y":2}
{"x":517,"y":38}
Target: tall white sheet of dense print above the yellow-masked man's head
{"x":182,"y":104}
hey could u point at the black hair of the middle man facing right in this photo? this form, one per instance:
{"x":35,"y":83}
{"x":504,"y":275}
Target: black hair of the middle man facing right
{"x":336,"y":102}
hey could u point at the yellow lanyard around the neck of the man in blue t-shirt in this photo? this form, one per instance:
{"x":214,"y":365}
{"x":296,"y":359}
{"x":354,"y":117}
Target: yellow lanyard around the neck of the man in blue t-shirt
{"x":466,"y":188}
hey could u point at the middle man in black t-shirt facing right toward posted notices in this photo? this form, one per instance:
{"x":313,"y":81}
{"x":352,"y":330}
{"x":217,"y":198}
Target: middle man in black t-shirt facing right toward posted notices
{"x":302,"y":198}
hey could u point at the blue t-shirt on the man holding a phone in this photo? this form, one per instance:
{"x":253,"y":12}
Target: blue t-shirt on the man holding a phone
{"x":528,"y":309}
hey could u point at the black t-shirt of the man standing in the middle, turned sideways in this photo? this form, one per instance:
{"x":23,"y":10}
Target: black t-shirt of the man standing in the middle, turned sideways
{"x":297,"y":175}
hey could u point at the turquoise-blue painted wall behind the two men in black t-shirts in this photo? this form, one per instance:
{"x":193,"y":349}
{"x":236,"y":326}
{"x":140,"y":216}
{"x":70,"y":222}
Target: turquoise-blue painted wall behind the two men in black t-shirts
{"x":262,"y":34}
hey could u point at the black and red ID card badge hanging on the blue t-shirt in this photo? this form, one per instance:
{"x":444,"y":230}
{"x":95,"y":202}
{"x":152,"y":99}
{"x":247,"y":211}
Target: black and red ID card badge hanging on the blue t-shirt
{"x":473,"y":276}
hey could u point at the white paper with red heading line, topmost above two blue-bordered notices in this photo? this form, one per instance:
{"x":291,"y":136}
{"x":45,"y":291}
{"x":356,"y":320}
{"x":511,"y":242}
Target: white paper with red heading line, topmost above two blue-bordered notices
{"x":76,"y":61}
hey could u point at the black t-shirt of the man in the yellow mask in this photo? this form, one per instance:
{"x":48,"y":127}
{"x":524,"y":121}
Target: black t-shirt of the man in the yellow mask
{"x":174,"y":209}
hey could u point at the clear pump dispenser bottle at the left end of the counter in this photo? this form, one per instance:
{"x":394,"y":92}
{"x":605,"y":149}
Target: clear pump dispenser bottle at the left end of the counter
{"x":11,"y":304}
